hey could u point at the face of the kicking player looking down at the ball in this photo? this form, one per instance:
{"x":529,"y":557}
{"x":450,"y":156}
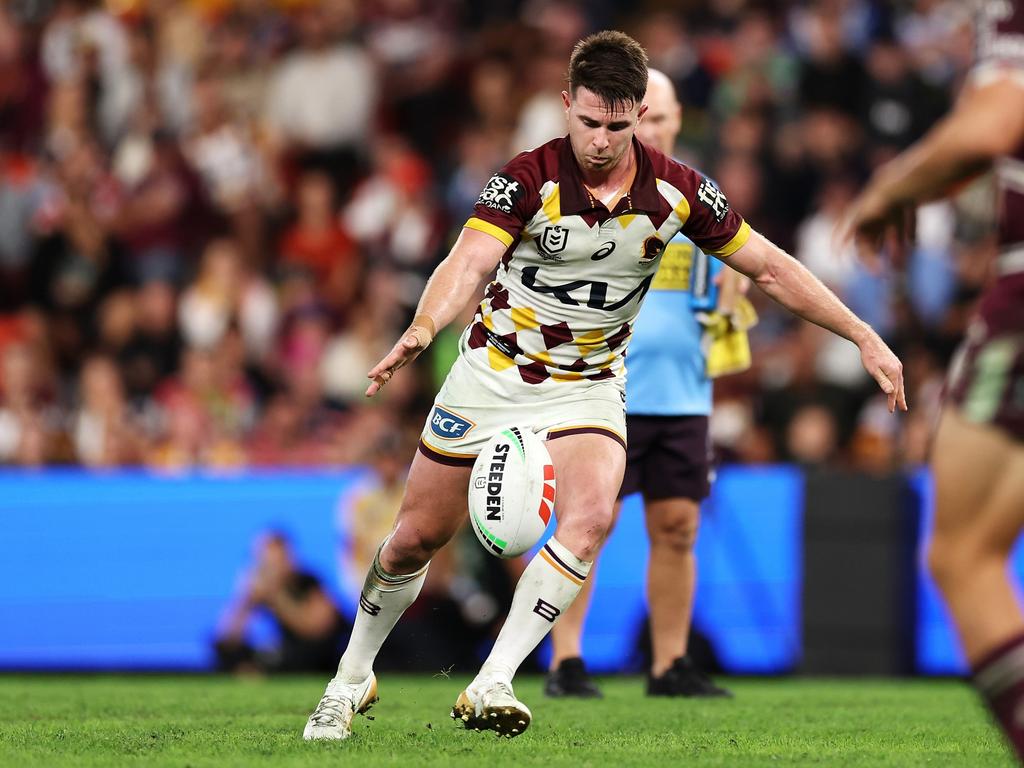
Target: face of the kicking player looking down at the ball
{"x":599,"y":136}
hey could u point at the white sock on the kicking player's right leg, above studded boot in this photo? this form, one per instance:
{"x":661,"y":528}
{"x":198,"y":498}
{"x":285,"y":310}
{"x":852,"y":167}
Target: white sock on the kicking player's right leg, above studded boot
{"x":547,"y":587}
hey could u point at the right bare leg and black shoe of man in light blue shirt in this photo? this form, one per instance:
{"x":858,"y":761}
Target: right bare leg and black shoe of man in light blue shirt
{"x":672,"y":529}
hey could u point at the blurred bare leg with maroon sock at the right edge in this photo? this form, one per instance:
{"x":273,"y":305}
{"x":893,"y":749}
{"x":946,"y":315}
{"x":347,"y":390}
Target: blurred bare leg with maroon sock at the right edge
{"x":979,"y":485}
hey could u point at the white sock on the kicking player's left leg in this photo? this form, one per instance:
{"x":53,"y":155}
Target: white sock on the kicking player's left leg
{"x":383,"y":601}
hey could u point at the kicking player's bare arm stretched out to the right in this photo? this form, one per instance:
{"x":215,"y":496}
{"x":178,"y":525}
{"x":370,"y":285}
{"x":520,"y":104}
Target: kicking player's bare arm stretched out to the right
{"x":792,"y":285}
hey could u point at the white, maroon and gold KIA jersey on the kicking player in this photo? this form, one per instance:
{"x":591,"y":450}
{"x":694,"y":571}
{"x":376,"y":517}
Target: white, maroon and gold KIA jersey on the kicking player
{"x":574,"y":277}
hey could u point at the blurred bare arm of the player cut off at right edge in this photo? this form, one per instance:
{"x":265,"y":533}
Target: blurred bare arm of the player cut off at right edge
{"x":987,"y":123}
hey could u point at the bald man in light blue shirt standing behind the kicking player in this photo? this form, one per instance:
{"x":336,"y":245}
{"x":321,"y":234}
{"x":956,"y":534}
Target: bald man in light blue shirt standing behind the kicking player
{"x":668,"y":404}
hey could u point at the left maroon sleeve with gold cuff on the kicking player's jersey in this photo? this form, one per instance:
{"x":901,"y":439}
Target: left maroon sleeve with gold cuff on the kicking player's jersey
{"x":509,"y":200}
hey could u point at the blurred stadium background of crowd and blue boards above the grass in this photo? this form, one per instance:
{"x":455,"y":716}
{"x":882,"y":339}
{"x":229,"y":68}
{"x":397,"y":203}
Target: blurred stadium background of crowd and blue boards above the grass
{"x":217,"y":216}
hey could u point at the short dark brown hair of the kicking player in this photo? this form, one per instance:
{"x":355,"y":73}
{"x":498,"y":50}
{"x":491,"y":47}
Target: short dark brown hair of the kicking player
{"x":612,"y":65}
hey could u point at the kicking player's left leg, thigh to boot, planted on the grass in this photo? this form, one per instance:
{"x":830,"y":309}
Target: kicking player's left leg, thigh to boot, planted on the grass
{"x":433,"y":510}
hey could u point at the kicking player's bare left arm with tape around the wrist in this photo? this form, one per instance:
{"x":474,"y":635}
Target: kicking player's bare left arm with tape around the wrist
{"x":453,"y":284}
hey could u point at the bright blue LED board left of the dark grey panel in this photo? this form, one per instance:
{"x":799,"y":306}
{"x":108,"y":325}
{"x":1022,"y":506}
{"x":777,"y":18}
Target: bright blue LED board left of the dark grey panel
{"x":133,"y":571}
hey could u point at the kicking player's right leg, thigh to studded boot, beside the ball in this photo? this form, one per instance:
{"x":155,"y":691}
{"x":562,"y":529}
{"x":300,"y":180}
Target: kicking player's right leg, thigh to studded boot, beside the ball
{"x":589,"y":471}
